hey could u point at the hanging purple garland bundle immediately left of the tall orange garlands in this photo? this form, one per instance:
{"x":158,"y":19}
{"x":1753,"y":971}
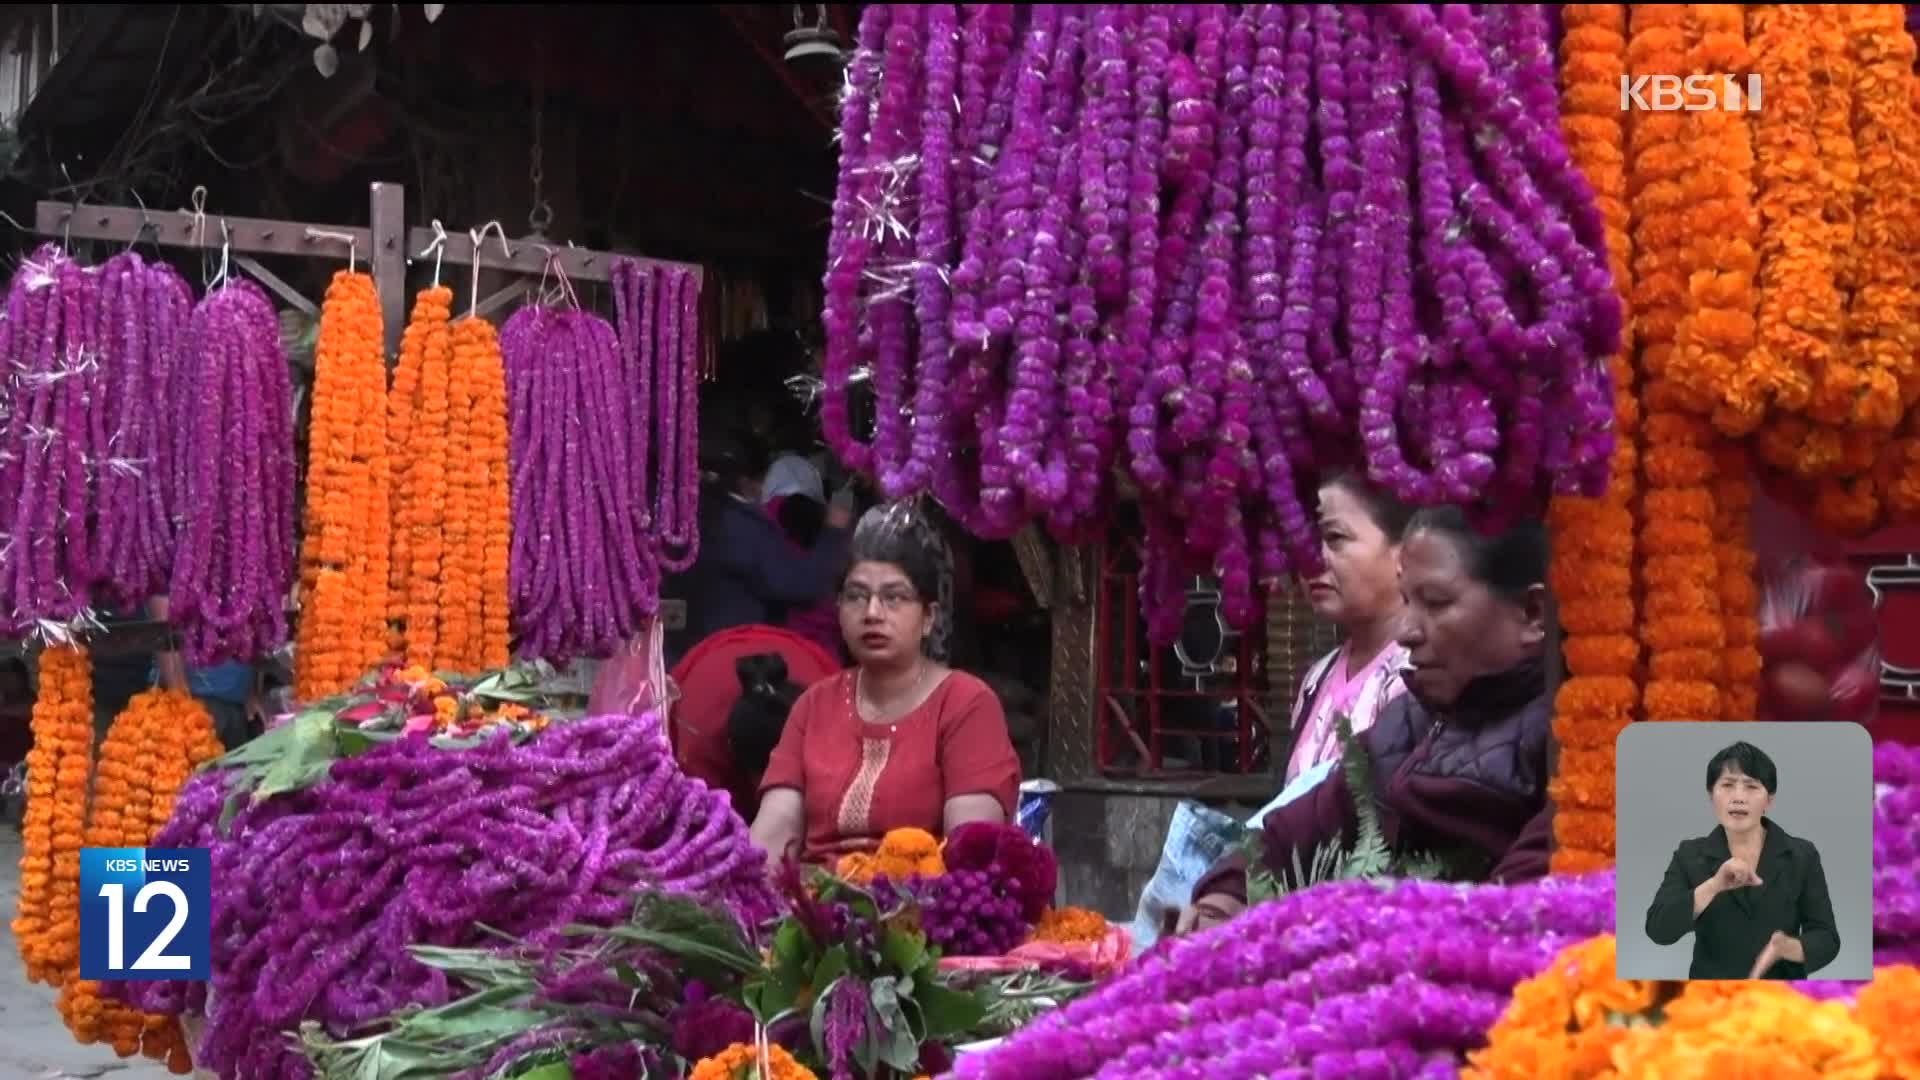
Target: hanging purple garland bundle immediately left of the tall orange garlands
{"x":235,"y":456}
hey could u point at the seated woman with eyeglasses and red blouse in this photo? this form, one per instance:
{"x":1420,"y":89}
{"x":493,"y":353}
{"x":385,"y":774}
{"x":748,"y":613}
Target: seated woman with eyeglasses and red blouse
{"x":898,"y":741}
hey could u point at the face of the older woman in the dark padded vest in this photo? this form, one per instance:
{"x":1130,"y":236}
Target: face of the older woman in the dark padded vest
{"x":1456,"y":629}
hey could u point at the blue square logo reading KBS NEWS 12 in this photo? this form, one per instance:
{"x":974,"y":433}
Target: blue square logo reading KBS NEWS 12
{"x":147,"y":914}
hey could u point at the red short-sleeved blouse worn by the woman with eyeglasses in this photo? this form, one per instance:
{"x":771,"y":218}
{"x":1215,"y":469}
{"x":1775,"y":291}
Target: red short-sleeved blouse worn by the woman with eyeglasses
{"x":953,"y":745}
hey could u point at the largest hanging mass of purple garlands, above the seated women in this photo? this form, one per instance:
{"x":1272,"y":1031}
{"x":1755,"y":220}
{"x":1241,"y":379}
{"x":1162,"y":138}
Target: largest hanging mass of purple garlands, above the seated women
{"x":1214,"y":253}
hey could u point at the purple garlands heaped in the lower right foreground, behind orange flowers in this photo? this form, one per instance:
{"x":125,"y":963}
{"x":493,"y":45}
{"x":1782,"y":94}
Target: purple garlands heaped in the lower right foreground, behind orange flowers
{"x":1362,"y":981}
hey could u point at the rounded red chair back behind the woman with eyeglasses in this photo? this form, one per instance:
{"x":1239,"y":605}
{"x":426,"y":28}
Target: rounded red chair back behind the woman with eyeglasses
{"x":709,"y":689}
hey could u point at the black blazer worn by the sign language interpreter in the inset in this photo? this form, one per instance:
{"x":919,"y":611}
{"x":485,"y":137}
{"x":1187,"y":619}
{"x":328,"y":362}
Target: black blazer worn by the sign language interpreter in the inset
{"x":1733,"y":931}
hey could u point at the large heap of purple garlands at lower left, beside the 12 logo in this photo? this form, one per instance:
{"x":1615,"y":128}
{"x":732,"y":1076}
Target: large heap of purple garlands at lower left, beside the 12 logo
{"x":320,"y":893}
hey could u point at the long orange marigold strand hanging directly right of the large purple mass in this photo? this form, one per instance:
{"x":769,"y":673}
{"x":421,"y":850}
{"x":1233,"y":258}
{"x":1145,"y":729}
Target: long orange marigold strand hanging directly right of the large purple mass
{"x":1595,"y":539}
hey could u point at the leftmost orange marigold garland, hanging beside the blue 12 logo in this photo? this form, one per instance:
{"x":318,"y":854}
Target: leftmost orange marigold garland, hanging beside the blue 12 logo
{"x":47,"y":923}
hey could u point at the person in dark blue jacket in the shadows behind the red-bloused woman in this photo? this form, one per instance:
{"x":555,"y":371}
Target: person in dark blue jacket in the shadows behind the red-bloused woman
{"x":748,"y":572}
